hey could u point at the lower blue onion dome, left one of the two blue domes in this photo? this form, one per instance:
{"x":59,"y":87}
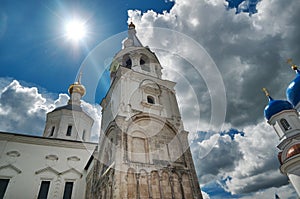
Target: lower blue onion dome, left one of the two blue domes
{"x":276,"y":106}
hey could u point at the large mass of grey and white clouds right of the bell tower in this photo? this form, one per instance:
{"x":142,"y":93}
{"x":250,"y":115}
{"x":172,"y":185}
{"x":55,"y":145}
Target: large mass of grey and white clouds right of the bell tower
{"x":250,"y":53}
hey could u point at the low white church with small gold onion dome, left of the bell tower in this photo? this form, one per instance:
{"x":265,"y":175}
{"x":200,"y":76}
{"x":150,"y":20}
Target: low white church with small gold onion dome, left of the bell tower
{"x":54,"y":165}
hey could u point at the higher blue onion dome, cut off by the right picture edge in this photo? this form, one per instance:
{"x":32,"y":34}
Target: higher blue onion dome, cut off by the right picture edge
{"x":293,"y":90}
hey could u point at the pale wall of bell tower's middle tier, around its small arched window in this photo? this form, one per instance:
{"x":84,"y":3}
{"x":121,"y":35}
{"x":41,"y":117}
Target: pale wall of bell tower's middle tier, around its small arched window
{"x":126,"y":97}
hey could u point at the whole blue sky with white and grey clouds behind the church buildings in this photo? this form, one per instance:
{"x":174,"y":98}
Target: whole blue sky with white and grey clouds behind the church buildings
{"x":241,"y":47}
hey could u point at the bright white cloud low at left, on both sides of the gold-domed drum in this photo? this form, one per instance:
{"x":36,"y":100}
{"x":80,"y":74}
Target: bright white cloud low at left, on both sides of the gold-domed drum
{"x":23,"y":109}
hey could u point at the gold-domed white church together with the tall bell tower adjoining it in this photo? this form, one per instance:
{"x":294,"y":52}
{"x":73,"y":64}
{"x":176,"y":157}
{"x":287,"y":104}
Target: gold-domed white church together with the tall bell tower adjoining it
{"x":143,"y":150}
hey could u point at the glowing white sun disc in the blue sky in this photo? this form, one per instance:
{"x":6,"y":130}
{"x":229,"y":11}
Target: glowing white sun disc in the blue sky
{"x":75,"y":30}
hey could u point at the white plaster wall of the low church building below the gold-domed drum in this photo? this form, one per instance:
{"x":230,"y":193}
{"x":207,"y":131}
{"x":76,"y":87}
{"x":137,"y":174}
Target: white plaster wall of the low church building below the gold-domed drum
{"x":30,"y":167}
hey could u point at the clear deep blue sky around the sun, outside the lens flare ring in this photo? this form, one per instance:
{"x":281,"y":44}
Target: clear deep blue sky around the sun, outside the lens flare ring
{"x":32,"y":40}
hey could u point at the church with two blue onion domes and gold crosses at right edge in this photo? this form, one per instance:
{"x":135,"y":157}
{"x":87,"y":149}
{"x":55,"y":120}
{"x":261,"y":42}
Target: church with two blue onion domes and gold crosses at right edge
{"x":283,"y":115}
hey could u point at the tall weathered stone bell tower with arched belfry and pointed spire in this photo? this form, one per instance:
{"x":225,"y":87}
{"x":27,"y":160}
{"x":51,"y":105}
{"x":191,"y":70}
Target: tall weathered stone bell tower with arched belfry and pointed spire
{"x":144,"y":150}
